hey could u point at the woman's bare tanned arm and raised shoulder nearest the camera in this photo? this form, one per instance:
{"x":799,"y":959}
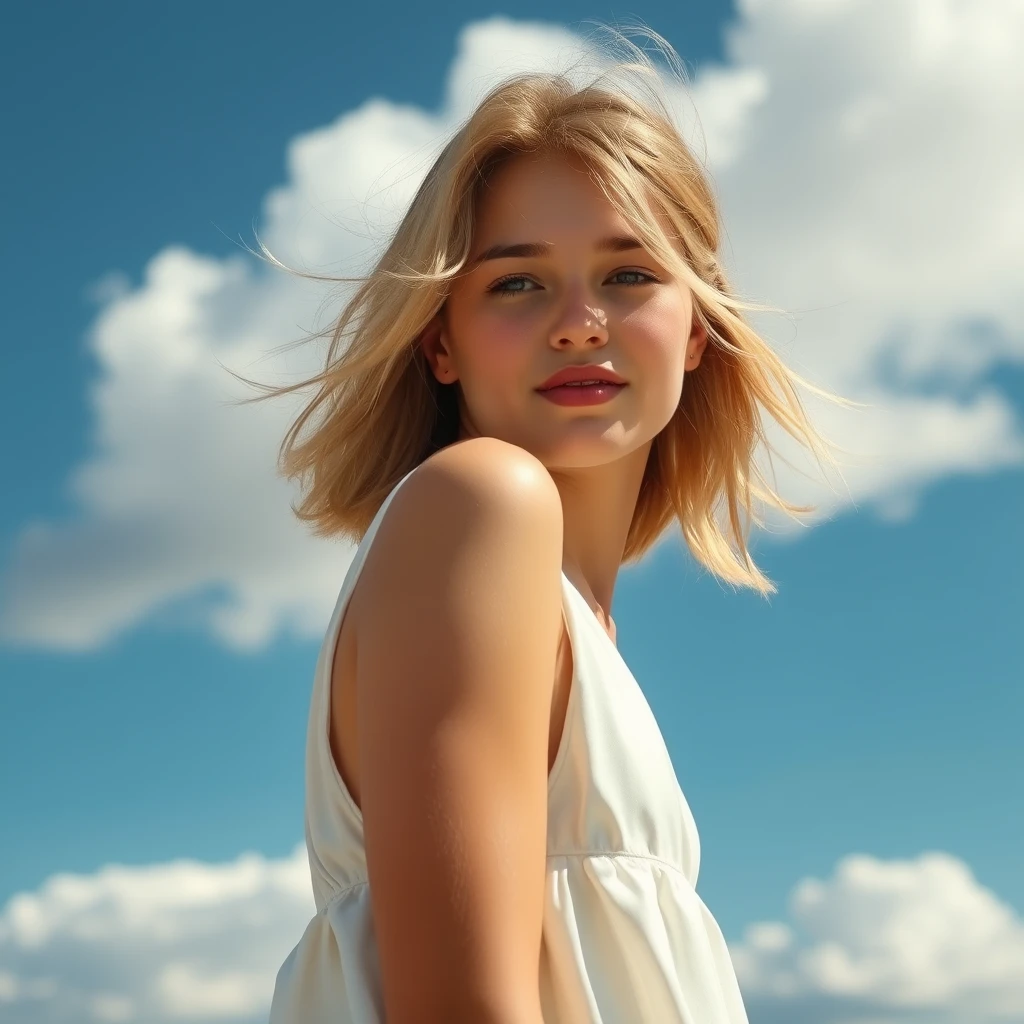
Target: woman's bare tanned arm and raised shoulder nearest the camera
{"x":456,"y":662}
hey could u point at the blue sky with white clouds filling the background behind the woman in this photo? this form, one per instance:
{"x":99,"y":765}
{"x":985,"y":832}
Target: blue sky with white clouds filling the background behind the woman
{"x":161,"y":615}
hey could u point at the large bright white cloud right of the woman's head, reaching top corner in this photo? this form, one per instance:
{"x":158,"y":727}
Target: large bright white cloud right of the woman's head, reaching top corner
{"x":877,"y":198}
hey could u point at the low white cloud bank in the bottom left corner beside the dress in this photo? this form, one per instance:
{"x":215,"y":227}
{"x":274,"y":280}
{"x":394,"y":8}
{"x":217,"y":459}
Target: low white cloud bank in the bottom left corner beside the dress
{"x":182,"y":942}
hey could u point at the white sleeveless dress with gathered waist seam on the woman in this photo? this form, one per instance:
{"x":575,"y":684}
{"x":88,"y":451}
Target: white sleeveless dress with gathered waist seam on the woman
{"x":626,"y":937}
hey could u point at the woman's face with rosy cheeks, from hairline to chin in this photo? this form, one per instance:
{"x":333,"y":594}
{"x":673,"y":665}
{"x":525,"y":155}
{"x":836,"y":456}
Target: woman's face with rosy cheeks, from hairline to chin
{"x":513,"y":321}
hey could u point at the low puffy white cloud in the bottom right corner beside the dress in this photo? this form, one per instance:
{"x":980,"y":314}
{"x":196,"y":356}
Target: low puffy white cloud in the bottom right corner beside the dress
{"x":887,"y":942}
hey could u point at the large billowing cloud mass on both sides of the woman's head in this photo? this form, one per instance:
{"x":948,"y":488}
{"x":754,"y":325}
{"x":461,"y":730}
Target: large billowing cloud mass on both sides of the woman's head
{"x":866,"y":156}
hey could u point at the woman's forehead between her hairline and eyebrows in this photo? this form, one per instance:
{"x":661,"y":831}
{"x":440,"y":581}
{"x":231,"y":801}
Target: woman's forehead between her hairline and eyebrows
{"x":535,"y":198}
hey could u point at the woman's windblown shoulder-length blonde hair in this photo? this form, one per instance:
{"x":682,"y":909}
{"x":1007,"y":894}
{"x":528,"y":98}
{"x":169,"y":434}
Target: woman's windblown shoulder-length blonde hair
{"x":378,"y":411}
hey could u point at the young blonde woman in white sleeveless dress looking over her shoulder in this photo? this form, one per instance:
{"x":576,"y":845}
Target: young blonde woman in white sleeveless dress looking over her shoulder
{"x":545,"y":371}
